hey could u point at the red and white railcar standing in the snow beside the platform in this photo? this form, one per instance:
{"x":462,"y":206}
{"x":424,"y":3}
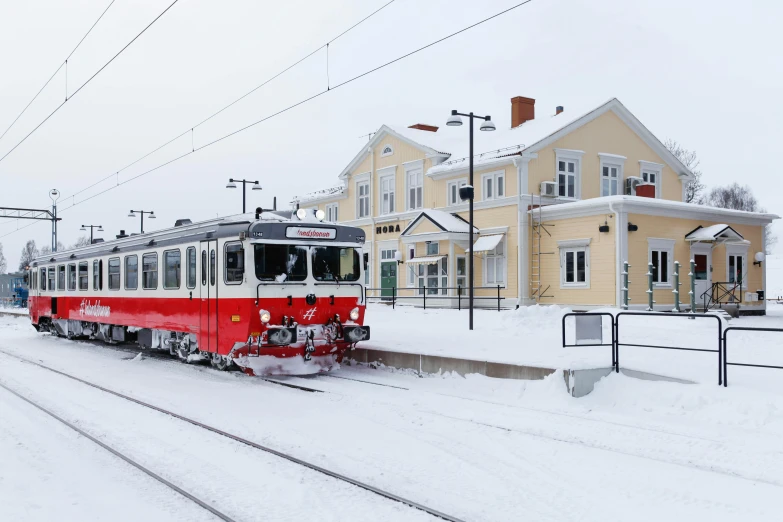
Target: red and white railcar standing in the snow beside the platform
{"x":278,"y":294}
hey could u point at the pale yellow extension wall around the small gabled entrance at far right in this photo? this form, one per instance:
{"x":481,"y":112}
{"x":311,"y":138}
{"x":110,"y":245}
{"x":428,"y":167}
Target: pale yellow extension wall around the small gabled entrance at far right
{"x":677,"y":228}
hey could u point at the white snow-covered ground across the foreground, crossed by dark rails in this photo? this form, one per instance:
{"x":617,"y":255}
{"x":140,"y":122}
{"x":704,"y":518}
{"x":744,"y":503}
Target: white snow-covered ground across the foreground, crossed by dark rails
{"x":477,"y":448}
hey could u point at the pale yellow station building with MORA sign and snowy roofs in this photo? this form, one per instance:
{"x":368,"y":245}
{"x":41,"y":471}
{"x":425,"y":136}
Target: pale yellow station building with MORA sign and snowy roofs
{"x":561,"y":202}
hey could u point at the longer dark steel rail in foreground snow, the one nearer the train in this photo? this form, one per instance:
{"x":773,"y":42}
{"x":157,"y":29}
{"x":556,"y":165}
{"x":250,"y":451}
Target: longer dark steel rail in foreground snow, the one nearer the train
{"x":290,"y":458}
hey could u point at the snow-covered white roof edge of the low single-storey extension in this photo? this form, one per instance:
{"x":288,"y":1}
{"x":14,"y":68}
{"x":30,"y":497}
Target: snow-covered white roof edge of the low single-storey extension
{"x":653,"y":203}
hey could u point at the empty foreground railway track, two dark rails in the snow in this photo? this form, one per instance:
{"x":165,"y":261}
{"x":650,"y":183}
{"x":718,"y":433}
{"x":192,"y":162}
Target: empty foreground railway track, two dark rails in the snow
{"x":242,"y":440}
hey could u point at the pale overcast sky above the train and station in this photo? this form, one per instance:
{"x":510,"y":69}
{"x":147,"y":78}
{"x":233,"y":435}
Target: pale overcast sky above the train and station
{"x":706,"y":73}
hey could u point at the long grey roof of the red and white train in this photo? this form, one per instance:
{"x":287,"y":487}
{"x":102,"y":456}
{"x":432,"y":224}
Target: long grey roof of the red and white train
{"x":270,"y":225}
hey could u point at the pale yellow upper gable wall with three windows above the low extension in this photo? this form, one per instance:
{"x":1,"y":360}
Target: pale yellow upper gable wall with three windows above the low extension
{"x":605,"y":134}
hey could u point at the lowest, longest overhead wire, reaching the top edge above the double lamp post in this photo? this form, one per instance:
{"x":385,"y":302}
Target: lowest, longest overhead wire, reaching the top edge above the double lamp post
{"x":293,"y":106}
